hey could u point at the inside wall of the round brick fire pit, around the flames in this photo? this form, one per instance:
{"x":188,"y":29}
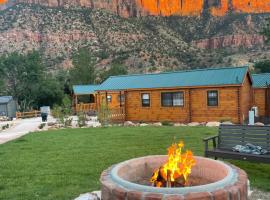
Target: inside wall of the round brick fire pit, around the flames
{"x":140,"y":171}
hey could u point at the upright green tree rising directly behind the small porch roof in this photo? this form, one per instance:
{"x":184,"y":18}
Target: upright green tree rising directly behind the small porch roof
{"x":83,"y":71}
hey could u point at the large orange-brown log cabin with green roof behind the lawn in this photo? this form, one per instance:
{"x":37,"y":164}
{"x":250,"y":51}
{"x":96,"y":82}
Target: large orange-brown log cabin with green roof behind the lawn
{"x":202,"y":95}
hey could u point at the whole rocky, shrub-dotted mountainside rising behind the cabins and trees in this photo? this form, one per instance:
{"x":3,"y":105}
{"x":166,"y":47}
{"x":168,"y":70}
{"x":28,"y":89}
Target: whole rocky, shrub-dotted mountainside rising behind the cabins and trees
{"x":175,"y":40}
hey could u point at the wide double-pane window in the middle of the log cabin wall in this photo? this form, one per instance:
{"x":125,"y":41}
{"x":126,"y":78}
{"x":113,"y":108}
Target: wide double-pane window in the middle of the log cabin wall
{"x":169,"y":99}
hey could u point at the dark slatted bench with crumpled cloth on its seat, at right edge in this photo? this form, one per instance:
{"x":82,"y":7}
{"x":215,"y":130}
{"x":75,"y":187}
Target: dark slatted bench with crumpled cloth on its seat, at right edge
{"x":232,"y":135}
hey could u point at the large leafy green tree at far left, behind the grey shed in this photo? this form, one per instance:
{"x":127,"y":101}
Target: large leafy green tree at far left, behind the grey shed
{"x":25,"y":78}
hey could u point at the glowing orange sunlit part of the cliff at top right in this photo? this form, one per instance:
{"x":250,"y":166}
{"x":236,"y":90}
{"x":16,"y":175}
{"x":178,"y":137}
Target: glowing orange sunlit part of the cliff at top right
{"x":195,"y":7}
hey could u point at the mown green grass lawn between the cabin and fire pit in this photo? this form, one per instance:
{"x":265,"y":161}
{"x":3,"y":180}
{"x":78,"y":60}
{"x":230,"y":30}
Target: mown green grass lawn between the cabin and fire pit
{"x":62,"y":164}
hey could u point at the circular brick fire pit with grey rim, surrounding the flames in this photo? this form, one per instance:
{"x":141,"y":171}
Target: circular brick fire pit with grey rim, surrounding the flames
{"x":209,"y":179}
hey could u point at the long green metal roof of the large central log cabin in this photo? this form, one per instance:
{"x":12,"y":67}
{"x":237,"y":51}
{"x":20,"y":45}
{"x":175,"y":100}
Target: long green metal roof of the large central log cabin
{"x":199,"y":77}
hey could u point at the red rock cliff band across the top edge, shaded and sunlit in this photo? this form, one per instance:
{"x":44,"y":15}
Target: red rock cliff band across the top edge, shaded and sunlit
{"x":127,"y":8}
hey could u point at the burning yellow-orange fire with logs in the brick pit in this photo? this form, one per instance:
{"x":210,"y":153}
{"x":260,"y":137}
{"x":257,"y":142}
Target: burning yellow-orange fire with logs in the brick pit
{"x":176,"y":170}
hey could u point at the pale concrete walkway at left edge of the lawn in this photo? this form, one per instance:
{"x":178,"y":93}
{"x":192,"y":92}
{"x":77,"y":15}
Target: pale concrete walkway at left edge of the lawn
{"x":20,"y":128}
